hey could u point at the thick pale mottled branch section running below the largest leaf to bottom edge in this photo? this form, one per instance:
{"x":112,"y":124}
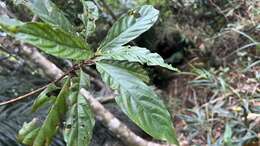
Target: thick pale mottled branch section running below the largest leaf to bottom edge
{"x":116,"y":126}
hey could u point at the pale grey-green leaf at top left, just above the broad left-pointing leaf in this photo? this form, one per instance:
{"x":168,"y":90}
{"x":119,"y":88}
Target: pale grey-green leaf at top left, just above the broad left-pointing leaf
{"x":49,"y":13}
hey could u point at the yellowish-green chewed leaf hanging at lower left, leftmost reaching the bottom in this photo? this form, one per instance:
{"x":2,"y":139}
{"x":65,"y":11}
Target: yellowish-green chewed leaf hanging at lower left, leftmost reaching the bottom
{"x":43,"y":135}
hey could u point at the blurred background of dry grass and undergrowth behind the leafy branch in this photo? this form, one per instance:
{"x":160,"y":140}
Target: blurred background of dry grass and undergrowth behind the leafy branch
{"x":214,"y":100}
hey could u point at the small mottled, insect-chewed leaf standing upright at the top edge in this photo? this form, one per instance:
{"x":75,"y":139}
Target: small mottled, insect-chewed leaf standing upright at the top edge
{"x":89,"y":16}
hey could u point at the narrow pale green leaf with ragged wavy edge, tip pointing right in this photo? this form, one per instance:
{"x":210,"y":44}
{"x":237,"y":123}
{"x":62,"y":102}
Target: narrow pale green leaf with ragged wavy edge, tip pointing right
{"x":136,"y":54}
